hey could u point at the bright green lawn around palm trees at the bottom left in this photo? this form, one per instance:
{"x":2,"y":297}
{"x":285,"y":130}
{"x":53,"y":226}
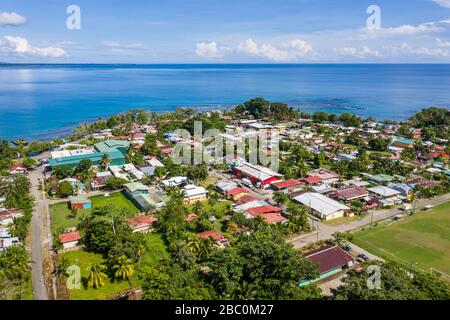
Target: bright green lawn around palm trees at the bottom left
{"x":111,"y":289}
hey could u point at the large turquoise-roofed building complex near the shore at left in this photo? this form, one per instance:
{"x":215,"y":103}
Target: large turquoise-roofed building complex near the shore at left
{"x":115,"y":149}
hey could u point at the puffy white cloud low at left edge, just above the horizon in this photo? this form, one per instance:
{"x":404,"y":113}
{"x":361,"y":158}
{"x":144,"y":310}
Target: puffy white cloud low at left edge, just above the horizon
{"x":21,"y":46}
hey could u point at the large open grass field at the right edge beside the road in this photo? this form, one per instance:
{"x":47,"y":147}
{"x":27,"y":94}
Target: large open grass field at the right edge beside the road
{"x":422,"y":240}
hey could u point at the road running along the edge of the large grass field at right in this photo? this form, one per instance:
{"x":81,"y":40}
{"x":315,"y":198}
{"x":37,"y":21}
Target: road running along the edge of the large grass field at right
{"x":326,"y":231}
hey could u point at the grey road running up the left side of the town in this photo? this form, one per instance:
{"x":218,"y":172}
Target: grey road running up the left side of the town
{"x":38,"y":234}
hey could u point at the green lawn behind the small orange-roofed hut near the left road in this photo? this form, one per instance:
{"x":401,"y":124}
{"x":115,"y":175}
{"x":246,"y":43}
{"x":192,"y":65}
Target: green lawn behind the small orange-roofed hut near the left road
{"x":61,"y":214}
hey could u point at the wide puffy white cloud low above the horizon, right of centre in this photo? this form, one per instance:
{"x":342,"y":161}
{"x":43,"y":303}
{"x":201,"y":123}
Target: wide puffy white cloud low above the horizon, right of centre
{"x":291,"y":50}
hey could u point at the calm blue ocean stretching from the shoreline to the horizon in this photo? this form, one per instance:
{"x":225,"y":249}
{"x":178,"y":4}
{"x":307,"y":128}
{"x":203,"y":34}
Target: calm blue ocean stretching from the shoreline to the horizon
{"x":47,"y":101}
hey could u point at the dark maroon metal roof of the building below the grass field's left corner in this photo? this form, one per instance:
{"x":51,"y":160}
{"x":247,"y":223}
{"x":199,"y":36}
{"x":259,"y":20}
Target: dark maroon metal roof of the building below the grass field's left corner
{"x":329,"y":258}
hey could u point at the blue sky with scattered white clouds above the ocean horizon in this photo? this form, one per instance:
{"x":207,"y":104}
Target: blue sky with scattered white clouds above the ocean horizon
{"x":225,"y":31}
